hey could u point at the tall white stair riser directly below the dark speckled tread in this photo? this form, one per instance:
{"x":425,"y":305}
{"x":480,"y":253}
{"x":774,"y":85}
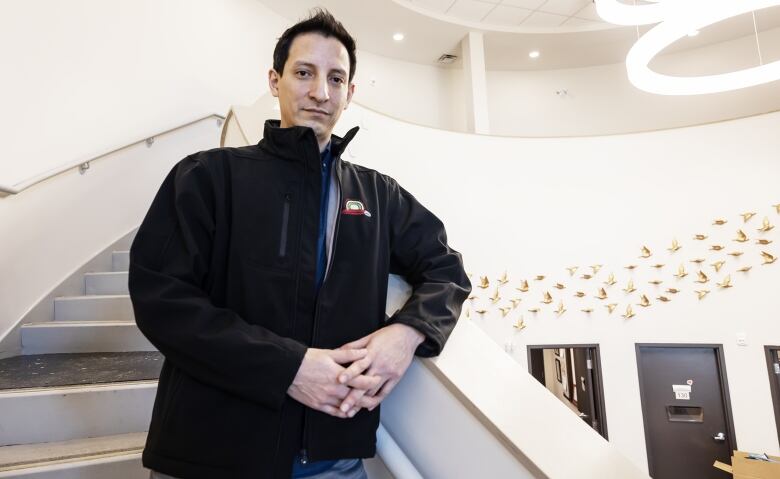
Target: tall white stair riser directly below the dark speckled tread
{"x":75,"y":412}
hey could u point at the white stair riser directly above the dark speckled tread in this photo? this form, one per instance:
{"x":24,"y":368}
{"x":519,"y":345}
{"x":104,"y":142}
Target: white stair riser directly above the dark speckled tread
{"x":82,"y":337}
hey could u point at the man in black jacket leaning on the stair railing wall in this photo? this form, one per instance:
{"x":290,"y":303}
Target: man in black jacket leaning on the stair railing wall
{"x":261,"y":274}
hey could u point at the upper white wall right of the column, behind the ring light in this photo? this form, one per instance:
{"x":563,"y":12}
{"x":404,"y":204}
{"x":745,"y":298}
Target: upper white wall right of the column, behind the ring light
{"x":602,"y":101}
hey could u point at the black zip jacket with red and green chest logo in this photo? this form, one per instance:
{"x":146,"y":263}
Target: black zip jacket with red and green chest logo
{"x":222,"y":275}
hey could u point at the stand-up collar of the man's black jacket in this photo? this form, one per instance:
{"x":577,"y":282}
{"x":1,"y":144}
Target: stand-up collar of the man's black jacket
{"x":294,"y":142}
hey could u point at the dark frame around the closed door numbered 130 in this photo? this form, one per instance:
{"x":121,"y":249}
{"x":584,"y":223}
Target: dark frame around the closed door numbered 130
{"x":724,"y":392}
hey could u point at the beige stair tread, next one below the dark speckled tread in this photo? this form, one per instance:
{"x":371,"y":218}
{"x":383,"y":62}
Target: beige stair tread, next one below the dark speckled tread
{"x":29,"y":455}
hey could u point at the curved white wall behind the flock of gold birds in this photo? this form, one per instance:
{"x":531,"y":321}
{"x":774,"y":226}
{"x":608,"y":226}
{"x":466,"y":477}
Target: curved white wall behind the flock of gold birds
{"x":537,"y":206}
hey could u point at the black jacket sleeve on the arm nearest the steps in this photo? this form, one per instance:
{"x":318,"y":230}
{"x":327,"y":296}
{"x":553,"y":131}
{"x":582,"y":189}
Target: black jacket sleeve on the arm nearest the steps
{"x":169,"y":271}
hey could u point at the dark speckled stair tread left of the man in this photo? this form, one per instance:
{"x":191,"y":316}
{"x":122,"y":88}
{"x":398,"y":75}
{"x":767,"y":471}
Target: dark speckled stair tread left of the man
{"x":66,"y":369}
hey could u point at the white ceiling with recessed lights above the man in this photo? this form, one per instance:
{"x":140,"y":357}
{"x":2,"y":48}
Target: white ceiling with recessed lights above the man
{"x":434,"y":27}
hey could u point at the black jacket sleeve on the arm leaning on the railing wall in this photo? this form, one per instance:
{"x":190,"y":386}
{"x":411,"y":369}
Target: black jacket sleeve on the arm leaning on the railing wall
{"x":419,"y":252}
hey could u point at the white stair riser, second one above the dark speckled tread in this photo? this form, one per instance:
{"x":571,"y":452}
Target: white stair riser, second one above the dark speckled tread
{"x":94,"y":308}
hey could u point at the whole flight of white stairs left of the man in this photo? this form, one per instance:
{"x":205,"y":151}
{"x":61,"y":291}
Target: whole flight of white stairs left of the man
{"x":77,"y":402}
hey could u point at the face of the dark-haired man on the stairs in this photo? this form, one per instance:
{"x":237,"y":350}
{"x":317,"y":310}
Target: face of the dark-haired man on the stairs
{"x":314,"y":88}
